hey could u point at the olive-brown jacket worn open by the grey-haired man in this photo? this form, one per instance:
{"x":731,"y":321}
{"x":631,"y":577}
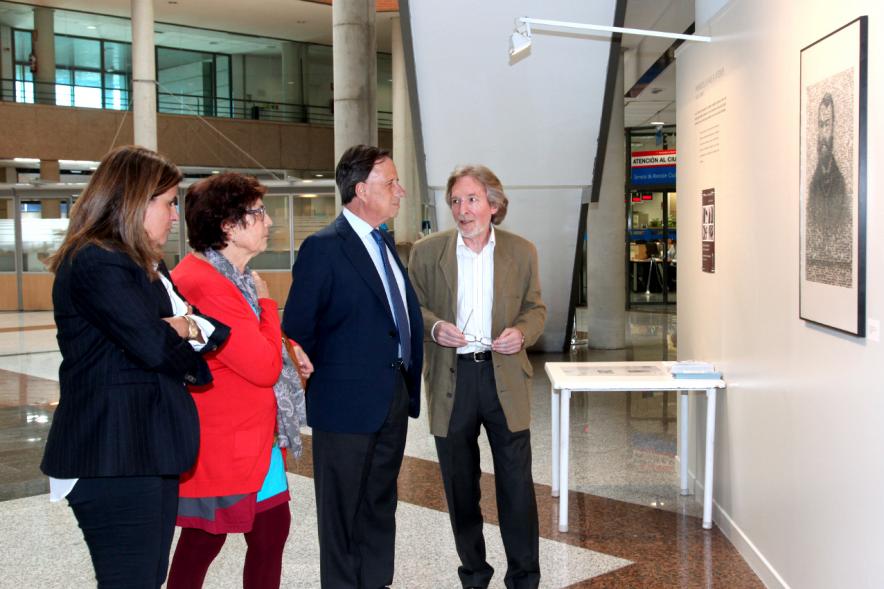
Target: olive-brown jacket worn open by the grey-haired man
{"x":517,"y":303}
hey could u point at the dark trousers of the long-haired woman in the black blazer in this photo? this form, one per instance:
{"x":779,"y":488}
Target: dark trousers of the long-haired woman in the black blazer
{"x":128,"y":523}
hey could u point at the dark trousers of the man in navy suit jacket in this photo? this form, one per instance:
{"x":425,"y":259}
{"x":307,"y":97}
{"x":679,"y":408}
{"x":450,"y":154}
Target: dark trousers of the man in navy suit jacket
{"x":355,"y":480}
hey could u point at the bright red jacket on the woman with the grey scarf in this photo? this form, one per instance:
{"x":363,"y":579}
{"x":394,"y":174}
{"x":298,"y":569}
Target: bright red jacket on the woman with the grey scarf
{"x":237,"y":412}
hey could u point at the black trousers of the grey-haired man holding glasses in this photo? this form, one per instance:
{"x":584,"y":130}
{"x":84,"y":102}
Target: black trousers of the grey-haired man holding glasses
{"x":476,"y":404}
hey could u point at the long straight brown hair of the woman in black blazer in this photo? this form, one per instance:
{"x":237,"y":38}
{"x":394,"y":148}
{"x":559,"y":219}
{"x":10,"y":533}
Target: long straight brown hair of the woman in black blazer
{"x":110,"y":211}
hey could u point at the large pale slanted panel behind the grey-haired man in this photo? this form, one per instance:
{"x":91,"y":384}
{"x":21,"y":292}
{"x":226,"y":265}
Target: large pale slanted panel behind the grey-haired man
{"x":534,"y":122}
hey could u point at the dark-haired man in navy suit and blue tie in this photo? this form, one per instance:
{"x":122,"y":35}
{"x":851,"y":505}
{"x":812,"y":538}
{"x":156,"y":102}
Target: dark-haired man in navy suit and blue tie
{"x":352,"y":309}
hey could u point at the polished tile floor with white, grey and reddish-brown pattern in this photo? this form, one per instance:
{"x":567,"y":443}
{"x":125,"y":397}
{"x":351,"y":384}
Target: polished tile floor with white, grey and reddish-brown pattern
{"x":629,"y":527}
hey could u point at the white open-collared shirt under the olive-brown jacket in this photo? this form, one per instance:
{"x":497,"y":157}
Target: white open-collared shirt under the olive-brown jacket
{"x":475,"y":294}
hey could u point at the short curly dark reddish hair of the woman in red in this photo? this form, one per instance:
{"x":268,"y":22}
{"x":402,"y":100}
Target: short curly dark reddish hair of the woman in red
{"x":214,"y":202}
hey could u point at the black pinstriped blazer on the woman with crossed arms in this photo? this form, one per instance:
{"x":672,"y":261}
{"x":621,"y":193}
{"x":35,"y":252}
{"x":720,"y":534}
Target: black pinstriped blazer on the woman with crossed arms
{"x":124,"y":408}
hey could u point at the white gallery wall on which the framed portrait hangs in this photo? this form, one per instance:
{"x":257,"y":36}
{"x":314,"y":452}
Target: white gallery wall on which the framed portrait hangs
{"x":800,"y":439}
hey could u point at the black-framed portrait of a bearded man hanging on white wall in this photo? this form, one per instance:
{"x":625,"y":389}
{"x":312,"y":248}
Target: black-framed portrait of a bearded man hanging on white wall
{"x":832,"y":193}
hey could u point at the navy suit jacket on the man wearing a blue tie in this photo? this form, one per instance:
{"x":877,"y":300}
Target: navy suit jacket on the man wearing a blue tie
{"x":338,"y":312}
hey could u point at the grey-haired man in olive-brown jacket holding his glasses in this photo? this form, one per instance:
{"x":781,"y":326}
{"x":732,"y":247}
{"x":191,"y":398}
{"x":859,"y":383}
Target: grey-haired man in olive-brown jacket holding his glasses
{"x":479,"y":292}
